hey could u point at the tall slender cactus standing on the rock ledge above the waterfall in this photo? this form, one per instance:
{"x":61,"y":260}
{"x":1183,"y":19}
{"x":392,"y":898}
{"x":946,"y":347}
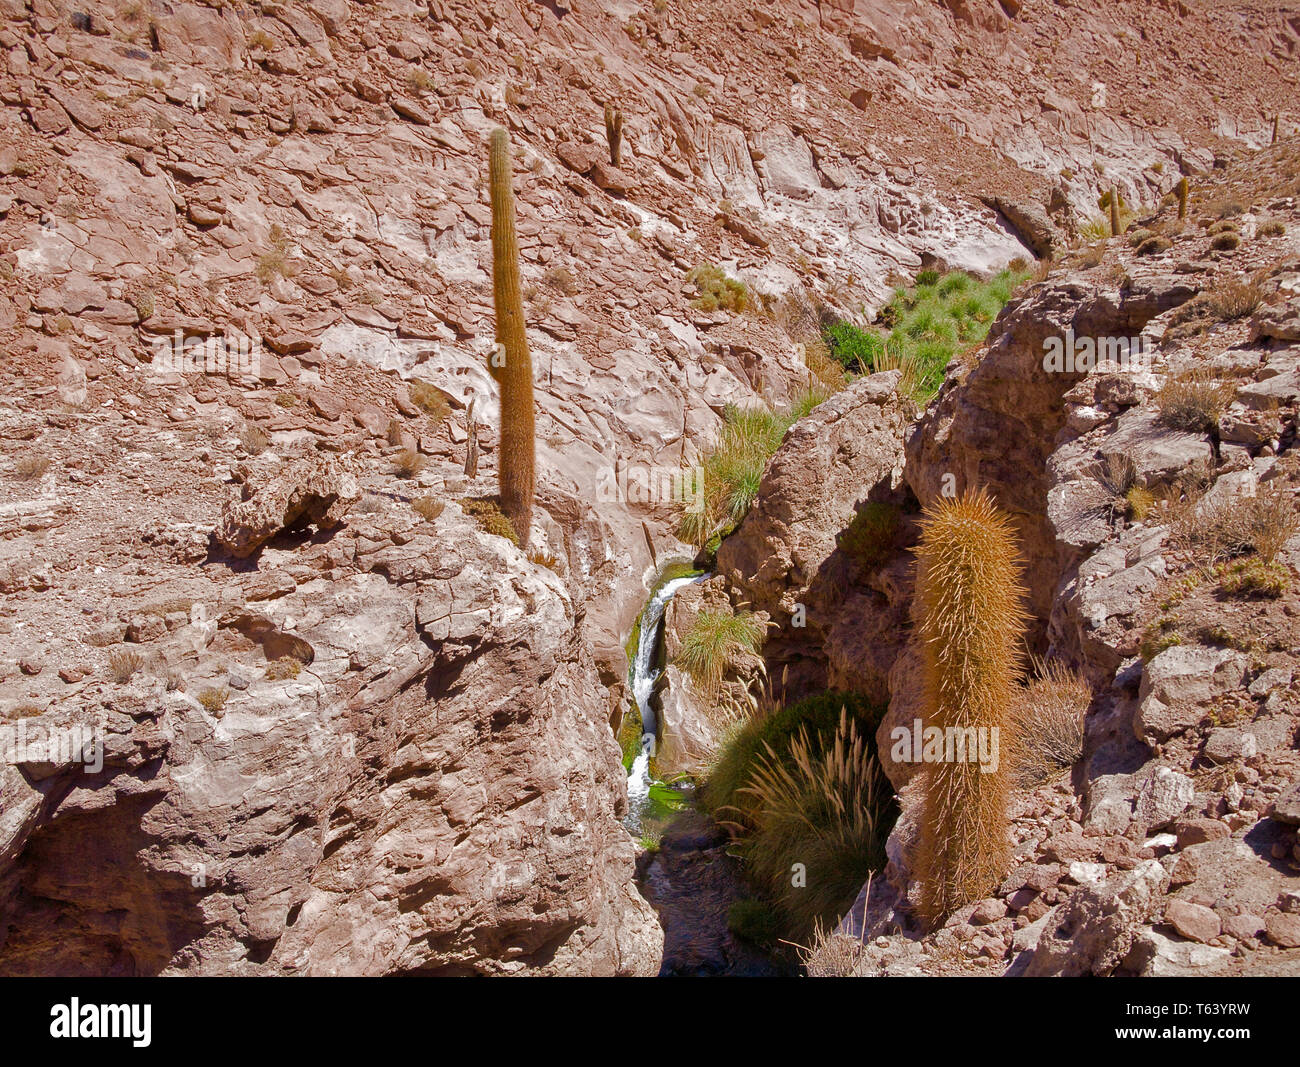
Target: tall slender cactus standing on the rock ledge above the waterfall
{"x":512,"y":365}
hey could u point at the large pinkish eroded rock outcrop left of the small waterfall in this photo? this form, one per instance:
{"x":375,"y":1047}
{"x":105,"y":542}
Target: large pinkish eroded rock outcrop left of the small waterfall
{"x":439,"y":792}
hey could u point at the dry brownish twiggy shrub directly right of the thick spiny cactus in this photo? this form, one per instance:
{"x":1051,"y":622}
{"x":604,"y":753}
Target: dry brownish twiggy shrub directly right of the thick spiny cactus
{"x":1048,"y":717}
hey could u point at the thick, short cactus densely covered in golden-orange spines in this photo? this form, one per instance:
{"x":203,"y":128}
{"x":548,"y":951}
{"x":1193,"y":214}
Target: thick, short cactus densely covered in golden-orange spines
{"x":972,"y":621}
